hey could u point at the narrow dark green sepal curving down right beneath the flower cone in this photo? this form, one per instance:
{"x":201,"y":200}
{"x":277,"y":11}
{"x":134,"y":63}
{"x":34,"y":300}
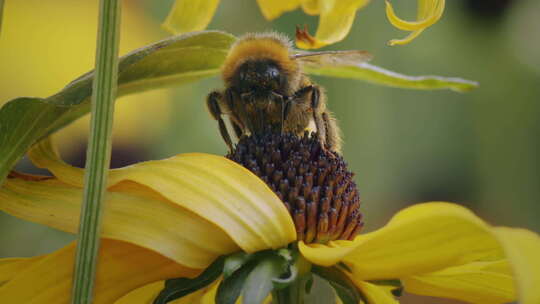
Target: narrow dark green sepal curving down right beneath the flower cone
{"x":344,"y":287}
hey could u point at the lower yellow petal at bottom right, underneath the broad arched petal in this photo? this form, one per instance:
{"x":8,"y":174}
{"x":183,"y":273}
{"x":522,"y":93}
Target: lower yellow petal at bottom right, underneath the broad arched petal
{"x":476,"y":282}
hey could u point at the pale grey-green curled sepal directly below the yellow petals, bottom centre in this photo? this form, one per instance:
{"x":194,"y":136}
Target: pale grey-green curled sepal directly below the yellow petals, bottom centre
{"x":259,"y":283}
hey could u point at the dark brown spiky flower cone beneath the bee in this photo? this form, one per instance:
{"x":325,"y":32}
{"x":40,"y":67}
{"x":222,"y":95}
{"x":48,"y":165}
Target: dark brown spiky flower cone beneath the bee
{"x":313,"y":183}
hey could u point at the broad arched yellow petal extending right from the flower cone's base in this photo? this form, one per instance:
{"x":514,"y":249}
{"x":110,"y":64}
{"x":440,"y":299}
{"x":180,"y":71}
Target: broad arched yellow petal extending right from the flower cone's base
{"x":419,"y":239}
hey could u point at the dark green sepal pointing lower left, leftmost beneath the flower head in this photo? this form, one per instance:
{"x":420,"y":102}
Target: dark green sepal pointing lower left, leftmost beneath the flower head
{"x":177,"y":288}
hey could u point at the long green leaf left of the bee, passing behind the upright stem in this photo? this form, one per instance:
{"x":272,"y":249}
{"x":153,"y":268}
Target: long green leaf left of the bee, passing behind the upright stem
{"x":174,"y":61}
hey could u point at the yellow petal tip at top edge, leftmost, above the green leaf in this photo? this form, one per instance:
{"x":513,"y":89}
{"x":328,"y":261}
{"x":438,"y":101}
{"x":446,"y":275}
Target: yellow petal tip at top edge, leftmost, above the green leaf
{"x":188,"y":16}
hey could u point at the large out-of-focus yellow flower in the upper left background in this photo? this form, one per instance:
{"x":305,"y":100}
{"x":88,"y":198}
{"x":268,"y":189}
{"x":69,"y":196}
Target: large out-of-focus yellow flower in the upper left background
{"x":46,"y":44}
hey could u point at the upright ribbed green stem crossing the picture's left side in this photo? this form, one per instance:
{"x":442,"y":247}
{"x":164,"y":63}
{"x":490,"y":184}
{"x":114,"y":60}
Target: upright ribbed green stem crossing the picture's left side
{"x":99,"y":150}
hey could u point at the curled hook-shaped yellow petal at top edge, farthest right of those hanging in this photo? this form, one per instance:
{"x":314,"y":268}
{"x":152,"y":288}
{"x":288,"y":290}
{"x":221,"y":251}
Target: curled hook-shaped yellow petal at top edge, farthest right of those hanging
{"x":429,"y":12}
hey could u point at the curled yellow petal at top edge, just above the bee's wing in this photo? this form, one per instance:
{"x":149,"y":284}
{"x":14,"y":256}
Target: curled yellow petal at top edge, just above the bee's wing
{"x":336,"y":18}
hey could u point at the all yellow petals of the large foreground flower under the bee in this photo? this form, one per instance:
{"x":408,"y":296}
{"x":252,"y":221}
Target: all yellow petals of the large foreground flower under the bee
{"x":174,"y":217}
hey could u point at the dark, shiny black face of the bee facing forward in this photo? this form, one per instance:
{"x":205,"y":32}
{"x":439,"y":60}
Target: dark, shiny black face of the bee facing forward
{"x":259,"y":74}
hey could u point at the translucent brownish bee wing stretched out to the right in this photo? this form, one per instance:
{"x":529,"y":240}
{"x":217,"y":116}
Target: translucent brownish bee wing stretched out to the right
{"x":332,"y":58}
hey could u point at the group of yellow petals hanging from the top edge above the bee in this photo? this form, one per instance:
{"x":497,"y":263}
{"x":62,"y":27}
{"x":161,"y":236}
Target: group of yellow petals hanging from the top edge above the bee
{"x":335,"y":17}
